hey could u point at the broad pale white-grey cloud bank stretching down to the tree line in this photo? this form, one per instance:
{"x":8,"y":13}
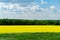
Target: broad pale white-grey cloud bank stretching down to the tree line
{"x":16,"y":11}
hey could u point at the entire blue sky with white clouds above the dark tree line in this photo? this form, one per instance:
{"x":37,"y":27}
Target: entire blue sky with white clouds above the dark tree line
{"x":30,"y":9}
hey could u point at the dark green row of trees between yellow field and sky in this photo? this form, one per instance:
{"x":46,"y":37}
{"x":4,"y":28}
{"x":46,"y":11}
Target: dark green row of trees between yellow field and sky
{"x":28,"y":22}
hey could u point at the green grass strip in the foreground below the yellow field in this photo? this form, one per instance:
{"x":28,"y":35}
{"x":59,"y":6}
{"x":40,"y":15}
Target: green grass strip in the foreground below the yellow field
{"x":30,"y":36}
